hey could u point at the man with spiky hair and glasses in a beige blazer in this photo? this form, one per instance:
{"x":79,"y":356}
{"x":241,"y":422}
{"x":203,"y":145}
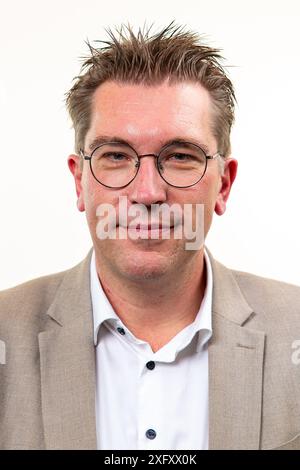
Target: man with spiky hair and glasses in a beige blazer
{"x":148,"y":343}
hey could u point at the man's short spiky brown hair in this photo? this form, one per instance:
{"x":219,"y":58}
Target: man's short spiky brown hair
{"x":172,"y":54}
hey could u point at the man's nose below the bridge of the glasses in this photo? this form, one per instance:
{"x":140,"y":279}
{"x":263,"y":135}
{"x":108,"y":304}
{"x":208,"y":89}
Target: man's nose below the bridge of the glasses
{"x":148,"y":187}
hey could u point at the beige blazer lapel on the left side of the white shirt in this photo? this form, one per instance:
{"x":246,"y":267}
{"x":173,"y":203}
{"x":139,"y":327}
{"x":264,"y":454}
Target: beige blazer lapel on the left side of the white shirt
{"x":67,"y":361}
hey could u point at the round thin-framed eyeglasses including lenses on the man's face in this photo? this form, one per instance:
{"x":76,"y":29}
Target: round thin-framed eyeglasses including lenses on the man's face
{"x":180,"y":164}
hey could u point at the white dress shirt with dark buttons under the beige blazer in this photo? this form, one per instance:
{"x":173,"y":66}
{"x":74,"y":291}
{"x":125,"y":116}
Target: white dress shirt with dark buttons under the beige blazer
{"x":147,"y":400}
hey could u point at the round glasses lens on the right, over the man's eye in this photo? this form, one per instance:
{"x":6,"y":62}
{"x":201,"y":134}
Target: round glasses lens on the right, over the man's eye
{"x":182,"y":164}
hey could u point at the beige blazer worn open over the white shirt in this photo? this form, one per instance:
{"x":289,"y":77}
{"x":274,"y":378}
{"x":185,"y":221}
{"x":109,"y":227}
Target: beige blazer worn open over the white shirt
{"x":47,"y":377}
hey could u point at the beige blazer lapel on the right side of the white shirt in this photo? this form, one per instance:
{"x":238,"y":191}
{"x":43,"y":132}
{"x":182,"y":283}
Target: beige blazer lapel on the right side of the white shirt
{"x":235,"y":368}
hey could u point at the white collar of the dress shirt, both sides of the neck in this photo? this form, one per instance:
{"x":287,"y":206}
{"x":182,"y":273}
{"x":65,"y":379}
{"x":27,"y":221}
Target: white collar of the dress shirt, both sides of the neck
{"x":103,"y":310}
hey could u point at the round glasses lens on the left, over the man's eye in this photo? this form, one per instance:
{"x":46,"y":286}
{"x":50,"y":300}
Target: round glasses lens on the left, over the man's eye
{"x":114,"y":164}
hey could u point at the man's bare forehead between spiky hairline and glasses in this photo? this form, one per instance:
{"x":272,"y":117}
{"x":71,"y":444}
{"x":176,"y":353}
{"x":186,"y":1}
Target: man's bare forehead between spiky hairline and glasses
{"x":140,"y":112}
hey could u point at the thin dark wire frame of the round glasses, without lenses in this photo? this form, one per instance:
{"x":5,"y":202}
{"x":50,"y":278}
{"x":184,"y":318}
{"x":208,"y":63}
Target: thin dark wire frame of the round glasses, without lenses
{"x":156,"y":155}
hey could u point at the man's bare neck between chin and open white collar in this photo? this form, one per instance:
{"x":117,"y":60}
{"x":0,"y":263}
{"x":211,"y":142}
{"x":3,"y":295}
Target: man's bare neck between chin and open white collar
{"x":155,"y":311}
